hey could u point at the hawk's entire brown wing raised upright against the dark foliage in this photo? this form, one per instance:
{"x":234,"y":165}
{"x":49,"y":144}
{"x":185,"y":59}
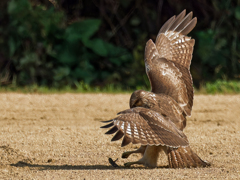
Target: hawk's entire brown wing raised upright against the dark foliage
{"x":176,"y":48}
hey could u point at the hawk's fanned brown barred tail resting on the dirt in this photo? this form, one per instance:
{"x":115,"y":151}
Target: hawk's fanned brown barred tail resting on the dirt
{"x":184,"y":157}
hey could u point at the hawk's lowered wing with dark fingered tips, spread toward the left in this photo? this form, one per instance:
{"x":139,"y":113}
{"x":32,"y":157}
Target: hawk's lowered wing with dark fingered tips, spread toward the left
{"x":141,"y":125}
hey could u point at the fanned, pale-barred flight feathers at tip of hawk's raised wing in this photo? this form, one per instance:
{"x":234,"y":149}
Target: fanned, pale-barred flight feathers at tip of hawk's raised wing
{"x":172,"y":42}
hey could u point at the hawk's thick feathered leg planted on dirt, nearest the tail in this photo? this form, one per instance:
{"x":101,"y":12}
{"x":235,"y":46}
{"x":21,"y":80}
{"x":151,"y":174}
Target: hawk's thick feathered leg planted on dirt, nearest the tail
{"x":149,"y":158}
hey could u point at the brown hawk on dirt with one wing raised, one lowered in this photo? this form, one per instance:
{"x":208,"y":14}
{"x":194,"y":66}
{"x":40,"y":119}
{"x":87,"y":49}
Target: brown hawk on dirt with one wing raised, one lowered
{"x":156,"y":119}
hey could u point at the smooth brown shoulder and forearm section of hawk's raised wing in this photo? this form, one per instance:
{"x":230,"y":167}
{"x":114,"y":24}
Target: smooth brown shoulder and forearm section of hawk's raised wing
{"x":164,"y":76}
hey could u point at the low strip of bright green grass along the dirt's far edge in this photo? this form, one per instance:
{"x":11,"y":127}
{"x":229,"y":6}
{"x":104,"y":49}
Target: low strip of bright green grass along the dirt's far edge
{"x":218,"y":87}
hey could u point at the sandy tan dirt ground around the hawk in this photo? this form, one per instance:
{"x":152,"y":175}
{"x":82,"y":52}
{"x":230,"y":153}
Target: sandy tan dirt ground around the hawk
{"x":58,"y":137}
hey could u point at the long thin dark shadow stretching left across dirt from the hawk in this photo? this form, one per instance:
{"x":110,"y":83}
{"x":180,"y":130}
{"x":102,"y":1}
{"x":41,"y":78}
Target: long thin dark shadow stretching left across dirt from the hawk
{"x":73,"y":167}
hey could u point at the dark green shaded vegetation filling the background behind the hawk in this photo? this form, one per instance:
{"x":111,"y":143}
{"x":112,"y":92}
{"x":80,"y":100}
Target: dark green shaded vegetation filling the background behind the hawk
{"x":57,"y":43}
